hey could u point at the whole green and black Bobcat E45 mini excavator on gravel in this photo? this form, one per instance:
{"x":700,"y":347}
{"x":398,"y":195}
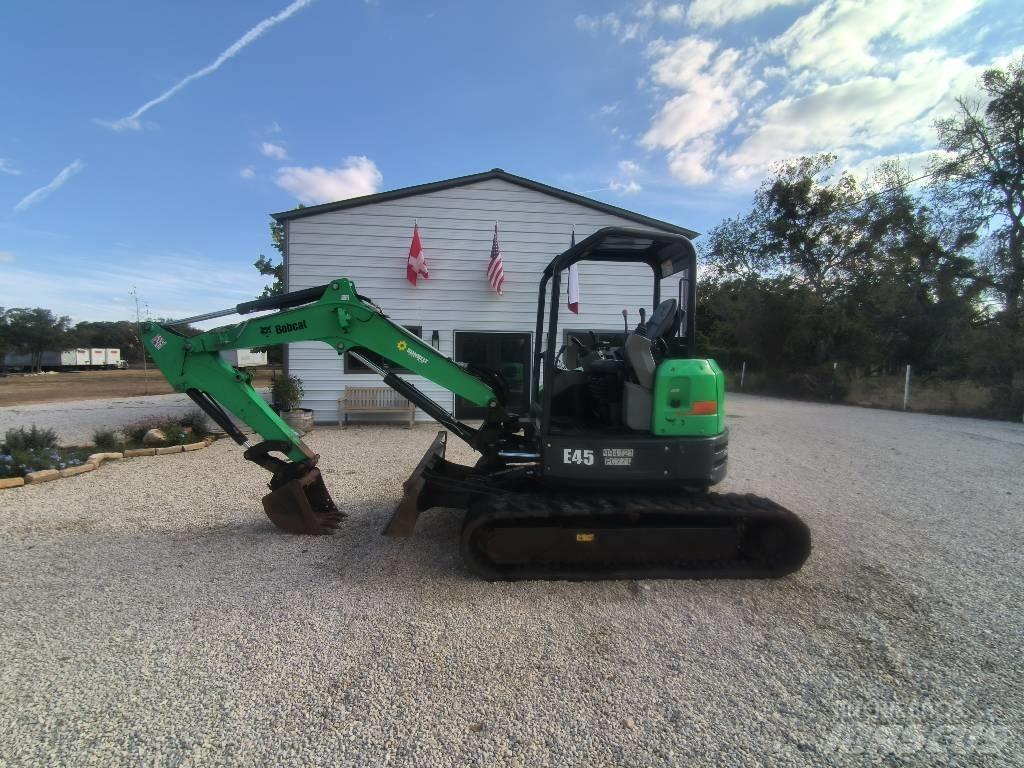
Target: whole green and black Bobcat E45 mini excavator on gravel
{"x":606,"y":476}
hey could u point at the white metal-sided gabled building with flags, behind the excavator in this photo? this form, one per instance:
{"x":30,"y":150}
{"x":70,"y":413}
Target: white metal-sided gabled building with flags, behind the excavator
{"x":367,"y":240}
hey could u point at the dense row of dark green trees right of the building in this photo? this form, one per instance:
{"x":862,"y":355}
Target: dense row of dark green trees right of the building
{"x":829,"y":278}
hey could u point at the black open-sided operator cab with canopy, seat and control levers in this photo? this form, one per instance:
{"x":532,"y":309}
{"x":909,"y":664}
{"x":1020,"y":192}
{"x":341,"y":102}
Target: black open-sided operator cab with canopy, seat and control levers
{"x":603,"y":385}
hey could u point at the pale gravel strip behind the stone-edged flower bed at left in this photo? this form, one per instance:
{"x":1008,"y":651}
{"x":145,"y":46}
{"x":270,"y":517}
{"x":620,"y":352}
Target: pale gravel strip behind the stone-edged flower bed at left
{"x":76,"y":421}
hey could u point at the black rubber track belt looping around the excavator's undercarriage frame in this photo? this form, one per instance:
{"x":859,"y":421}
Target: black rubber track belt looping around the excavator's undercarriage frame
{"x":748,"y":513}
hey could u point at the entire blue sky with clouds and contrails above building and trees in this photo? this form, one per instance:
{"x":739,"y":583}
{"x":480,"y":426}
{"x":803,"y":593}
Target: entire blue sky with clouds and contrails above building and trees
{"x":146,"y":144}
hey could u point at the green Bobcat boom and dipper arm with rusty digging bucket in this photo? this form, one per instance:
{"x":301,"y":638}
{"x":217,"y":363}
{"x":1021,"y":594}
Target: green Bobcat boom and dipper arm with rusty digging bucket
{"x":337,"y":316}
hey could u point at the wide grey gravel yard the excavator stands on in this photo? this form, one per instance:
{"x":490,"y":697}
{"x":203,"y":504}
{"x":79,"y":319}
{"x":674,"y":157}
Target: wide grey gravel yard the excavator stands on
{"x":151,"y":616}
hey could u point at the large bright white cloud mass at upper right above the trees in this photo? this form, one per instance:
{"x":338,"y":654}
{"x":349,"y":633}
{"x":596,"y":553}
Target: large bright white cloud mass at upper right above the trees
{"x":866,"y":79}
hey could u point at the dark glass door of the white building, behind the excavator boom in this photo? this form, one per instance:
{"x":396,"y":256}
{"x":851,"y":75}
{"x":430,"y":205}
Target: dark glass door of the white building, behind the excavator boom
{"x":508,"y":354}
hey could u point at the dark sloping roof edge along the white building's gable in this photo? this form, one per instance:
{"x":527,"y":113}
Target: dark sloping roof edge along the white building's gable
{"x":495,"y":174}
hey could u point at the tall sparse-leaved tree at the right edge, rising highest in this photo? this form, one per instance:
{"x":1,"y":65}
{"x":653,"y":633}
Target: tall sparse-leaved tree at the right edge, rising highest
{"x":983,"y":178}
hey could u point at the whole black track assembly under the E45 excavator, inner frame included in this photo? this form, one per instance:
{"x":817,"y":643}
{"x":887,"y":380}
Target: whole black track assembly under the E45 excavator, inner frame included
{"x":588,"y":536}
